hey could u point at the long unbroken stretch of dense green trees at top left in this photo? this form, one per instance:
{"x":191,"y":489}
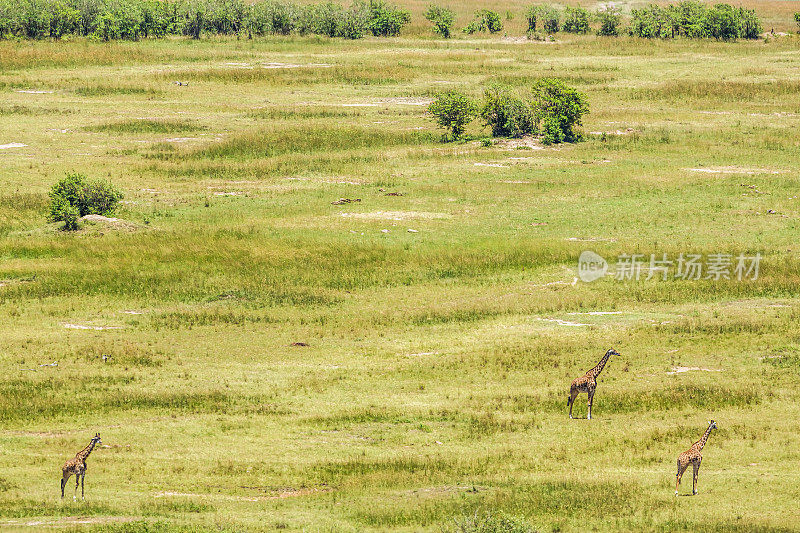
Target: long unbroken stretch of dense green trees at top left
{"x":136,"y":19}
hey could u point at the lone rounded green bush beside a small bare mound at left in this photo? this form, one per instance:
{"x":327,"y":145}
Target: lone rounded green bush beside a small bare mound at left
{"x":75,"y":196}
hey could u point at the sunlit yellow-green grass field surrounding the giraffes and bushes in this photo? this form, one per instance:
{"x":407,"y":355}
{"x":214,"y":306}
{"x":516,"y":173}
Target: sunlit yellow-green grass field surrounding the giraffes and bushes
{"x":442,"y":325}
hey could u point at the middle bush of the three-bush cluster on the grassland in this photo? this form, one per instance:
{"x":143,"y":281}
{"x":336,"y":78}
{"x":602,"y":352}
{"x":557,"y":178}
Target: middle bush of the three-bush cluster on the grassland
{"x":506,"y":113}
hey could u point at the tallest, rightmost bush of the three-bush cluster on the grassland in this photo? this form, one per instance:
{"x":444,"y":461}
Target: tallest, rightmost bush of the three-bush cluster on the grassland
{"x":560,"y":108}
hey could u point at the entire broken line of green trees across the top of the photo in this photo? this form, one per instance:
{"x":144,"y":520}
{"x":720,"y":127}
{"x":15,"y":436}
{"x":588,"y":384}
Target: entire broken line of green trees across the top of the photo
{"x":136,"y":19}
